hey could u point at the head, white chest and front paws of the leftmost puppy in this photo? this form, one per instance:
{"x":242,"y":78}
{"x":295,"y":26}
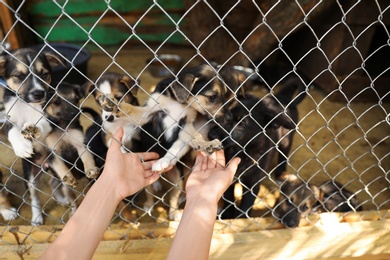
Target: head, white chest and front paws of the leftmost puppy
{"x":28,"y":77}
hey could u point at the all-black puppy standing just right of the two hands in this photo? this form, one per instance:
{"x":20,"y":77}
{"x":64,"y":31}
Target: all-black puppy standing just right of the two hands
{"x":257,"y":128}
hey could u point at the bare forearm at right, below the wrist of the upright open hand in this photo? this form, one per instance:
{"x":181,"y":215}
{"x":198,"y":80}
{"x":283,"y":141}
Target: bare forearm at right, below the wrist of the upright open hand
{"x":193,"y":237}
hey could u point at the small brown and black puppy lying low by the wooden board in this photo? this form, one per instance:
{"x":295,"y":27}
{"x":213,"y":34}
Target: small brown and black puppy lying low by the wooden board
{"x":297,"y":199}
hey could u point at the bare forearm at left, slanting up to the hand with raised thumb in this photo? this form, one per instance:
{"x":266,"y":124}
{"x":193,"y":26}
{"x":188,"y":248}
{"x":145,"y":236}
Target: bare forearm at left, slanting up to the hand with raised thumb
{"x":83,"y":232}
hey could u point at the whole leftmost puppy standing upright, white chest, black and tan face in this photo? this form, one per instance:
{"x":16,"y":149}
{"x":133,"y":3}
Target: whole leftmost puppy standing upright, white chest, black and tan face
{"x":28,"y":77}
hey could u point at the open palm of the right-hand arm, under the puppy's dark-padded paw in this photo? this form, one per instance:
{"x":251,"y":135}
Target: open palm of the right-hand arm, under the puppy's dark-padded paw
{"x":210,"y":177}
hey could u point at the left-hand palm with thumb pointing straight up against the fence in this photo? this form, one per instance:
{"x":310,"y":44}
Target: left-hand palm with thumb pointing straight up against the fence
{"x":128,"y":172}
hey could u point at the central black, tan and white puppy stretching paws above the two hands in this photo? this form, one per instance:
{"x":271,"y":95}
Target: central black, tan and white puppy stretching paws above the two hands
{"x":171,"y":120}
